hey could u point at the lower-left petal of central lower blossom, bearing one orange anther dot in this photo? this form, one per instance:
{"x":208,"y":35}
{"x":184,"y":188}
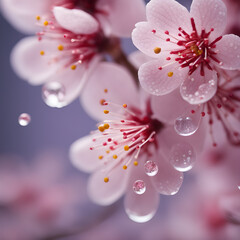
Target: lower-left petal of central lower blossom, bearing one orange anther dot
{"x":104,"y":193}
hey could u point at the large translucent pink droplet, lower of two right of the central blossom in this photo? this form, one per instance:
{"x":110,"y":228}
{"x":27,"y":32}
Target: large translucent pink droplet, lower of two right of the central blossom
{"x":182,"y":157}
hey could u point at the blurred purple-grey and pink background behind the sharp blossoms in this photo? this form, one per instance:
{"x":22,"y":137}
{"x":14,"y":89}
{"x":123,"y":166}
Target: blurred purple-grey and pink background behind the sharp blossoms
{"x":38,"y":154}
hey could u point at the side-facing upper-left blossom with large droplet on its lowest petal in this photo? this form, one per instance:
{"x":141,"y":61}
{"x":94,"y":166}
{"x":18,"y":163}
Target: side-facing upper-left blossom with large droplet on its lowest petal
{"x":71,"y":43}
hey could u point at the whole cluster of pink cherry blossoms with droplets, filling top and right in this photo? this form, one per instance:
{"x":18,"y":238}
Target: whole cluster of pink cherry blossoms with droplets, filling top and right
{"x":159,"y":110}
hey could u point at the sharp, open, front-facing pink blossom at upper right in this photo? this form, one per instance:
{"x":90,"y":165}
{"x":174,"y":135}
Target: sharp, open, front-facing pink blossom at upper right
{"x":189,"y":47}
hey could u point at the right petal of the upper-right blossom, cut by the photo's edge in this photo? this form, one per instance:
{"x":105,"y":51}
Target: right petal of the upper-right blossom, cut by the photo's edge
{"x":229,"y":52}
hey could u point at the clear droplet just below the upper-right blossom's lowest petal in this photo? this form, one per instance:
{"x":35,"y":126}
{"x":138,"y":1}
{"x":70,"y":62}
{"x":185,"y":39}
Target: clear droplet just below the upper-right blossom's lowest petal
{"x":185,"y":126}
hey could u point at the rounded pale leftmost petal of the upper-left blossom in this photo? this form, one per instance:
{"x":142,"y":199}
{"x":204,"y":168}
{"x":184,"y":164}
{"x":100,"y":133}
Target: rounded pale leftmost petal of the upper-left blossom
{"x":29,"y":64}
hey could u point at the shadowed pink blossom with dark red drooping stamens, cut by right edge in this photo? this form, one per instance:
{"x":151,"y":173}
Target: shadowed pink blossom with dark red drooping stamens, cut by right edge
{"x":222,"y":111}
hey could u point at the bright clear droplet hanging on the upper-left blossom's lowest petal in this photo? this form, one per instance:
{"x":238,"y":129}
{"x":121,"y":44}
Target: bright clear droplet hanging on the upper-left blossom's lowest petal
{"x":53,"y":94}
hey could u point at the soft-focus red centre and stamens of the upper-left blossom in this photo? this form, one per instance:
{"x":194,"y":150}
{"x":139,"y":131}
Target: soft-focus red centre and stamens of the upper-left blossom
{"x":71,"y":49}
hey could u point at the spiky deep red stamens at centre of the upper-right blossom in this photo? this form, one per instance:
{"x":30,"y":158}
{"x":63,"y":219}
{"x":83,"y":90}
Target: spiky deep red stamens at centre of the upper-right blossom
{"x":194,"y":50}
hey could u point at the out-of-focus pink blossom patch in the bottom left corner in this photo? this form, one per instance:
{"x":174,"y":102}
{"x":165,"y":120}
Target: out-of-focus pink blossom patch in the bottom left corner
{"x":38,"y":198}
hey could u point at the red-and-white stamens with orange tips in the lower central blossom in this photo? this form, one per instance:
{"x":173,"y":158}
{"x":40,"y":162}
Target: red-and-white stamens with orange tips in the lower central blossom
{"x":124,"y":136}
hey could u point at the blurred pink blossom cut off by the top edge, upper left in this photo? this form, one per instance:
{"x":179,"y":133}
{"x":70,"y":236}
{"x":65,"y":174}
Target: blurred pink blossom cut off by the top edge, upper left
{"x":21,"y":14}
